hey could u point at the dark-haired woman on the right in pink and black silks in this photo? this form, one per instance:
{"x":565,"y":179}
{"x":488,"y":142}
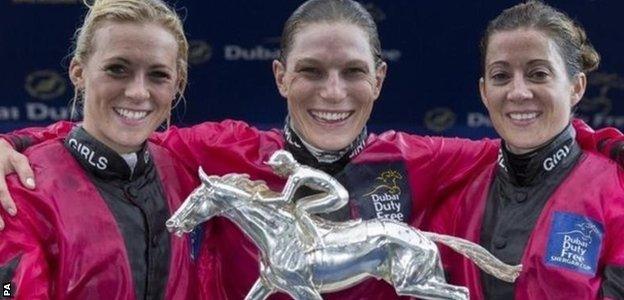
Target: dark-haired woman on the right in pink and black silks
{"x":546,"y":204}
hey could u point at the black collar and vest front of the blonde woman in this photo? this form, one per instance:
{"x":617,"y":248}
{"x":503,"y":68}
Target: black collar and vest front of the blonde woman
{"x":136,"y":200}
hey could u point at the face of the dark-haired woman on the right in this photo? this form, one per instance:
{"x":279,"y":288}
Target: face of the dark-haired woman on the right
{"x":526,"y":88}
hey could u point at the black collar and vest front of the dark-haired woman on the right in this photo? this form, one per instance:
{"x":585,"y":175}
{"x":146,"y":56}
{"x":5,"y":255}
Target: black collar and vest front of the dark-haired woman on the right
{"x":522,"y":186}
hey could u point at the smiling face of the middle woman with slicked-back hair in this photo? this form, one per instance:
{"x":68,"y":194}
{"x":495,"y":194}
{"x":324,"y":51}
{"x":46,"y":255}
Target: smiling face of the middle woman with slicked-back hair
{"x":330,"y":81}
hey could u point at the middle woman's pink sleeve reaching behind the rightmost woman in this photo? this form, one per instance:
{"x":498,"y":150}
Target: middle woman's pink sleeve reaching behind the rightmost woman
{"x":437,"y":166}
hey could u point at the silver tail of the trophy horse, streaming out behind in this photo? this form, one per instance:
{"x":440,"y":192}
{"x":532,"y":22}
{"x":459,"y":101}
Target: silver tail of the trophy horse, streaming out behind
{"x":479,"y":255}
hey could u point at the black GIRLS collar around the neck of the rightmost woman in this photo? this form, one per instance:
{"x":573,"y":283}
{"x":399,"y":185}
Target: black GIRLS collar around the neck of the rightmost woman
{"x":531,"y":168}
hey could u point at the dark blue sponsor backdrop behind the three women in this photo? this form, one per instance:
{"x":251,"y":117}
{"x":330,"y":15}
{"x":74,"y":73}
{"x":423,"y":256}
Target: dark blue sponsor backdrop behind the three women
{"x":431,"y":48}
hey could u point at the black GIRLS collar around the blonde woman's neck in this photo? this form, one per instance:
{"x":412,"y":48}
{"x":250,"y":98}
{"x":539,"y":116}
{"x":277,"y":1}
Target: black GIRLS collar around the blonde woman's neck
{"x":100,"y":160}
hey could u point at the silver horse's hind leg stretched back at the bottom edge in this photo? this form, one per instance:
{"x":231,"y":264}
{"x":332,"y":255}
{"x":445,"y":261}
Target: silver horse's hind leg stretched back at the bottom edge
{"x":433,"y":289}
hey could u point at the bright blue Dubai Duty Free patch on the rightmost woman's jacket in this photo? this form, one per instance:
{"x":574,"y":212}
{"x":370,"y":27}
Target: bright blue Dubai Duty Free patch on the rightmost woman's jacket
{"x":574,"y":242}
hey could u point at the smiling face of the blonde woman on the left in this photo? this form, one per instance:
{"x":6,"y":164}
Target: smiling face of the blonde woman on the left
{"x":128,"y":83}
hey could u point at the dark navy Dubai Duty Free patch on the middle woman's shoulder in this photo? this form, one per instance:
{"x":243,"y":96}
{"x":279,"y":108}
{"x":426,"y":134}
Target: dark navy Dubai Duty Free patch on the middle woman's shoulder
{"x":379,"y":190}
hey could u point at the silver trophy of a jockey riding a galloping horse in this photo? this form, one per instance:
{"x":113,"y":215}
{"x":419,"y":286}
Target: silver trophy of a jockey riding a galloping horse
{"x":304,"y":255}
